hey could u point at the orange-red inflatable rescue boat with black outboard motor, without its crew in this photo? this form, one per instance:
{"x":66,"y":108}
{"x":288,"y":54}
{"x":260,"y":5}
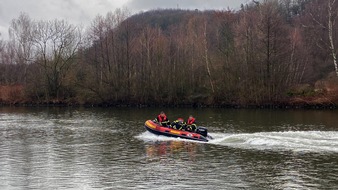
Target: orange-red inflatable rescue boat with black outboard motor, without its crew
{"x":201,"y":133}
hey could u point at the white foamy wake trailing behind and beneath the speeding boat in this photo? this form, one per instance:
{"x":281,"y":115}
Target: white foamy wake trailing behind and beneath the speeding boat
{"x":297,"y":141}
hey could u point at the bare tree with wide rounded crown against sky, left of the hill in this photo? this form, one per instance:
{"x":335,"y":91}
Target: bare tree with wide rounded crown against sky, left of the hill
{"x":55,"y":47}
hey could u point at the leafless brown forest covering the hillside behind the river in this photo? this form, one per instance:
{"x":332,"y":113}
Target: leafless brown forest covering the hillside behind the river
{"x":271,"y":52}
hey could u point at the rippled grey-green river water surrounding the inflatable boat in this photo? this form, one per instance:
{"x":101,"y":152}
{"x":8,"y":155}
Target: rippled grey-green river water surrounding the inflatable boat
{"x":108,"y":148}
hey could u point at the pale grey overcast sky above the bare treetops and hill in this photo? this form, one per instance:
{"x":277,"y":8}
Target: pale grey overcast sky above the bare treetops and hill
{"x":84,"y":11}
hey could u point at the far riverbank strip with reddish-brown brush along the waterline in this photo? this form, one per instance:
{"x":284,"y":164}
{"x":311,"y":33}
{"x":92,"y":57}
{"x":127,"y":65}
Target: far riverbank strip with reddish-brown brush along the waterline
{"x":301,"y":97}
